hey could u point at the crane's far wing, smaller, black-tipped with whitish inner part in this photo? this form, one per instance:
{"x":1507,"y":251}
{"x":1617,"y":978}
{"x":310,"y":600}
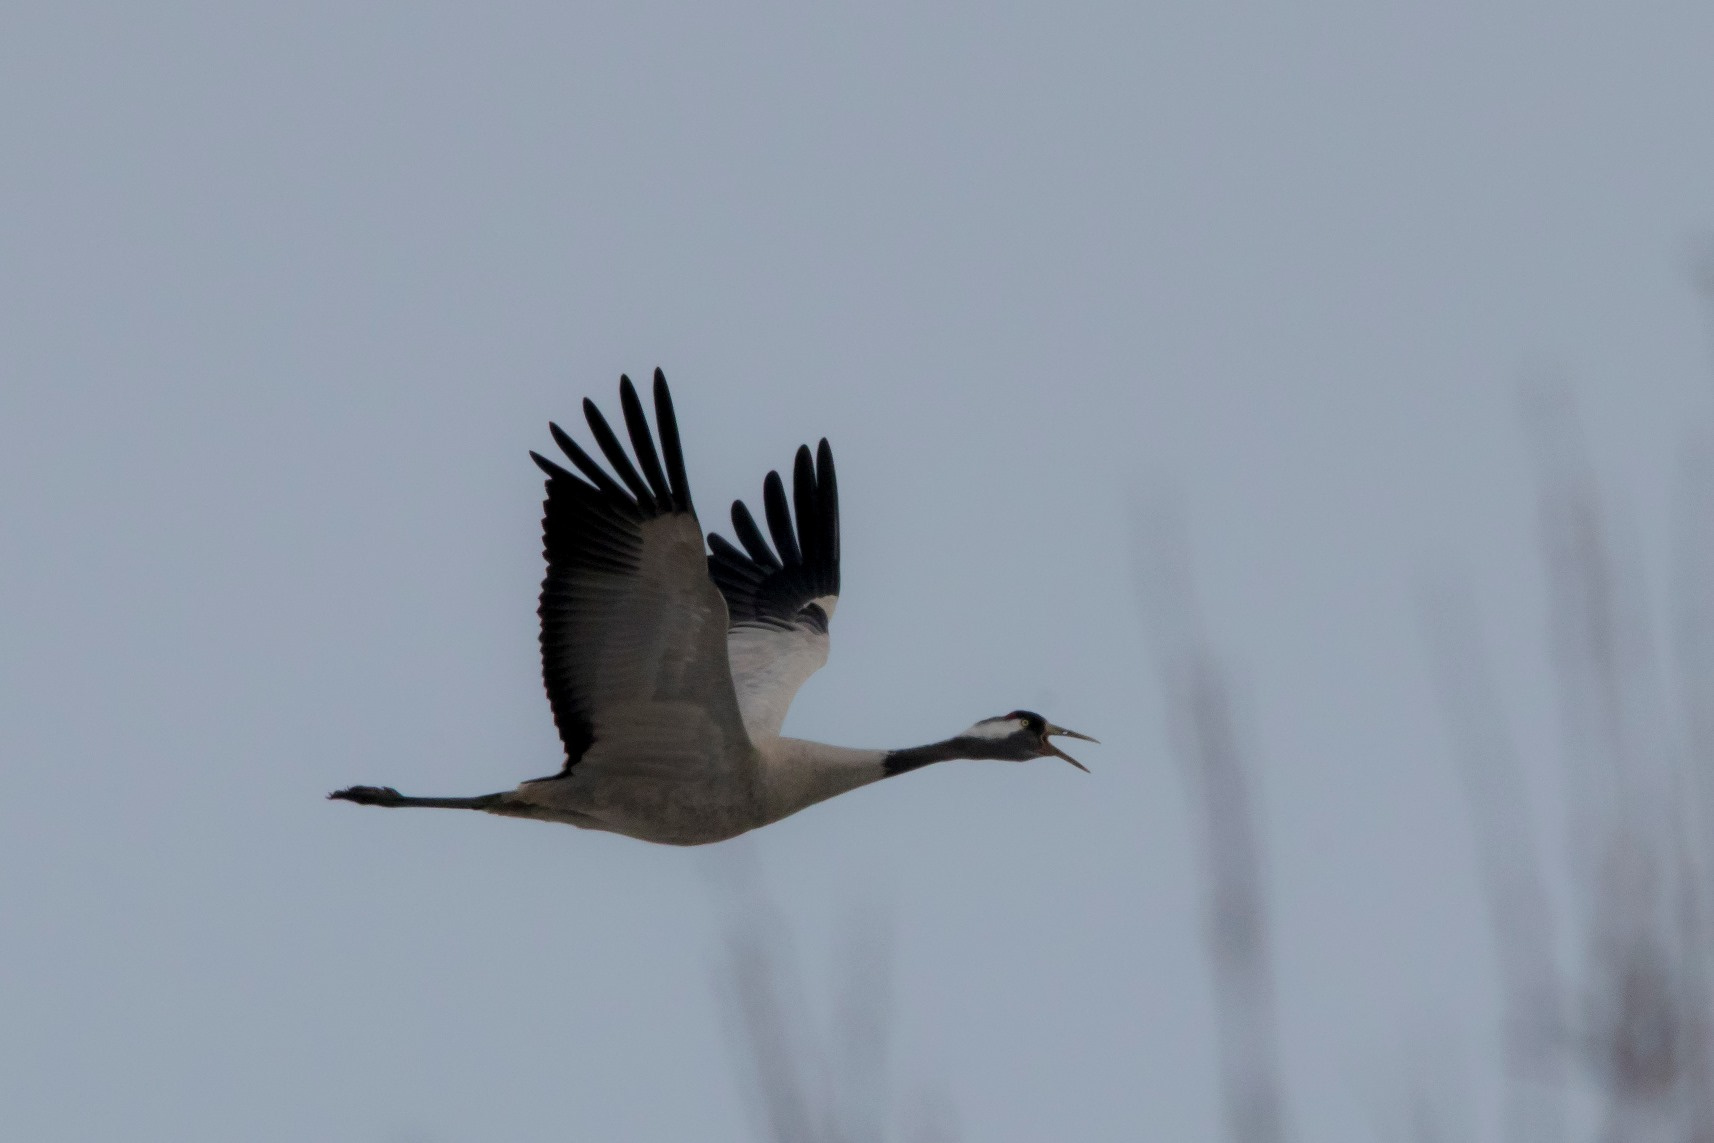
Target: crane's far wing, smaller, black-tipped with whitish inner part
{"x":782,"y":602}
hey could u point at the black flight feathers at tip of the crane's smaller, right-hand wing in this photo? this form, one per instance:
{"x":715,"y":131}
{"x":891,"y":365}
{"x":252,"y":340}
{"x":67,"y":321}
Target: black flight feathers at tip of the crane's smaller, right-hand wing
{"x":769,"y":590}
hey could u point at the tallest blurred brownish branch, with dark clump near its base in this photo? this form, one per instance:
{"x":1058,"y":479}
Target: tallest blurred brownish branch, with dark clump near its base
{"x":1648,"y":959}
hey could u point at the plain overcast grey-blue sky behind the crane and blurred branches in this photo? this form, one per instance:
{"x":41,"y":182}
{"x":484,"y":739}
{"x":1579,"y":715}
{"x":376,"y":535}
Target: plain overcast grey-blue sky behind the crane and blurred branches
{"x":287,"y":292}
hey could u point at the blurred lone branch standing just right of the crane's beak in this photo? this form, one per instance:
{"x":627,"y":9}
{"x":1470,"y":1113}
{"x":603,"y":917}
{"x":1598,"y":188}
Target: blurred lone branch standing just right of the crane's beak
{"x":1204,"y":727}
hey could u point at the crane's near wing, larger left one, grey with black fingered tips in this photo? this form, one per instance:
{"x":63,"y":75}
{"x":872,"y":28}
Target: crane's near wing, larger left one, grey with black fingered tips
{"x":633,"y":630}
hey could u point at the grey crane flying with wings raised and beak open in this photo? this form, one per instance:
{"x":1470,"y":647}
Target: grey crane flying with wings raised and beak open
{"x":669,"y":666}
